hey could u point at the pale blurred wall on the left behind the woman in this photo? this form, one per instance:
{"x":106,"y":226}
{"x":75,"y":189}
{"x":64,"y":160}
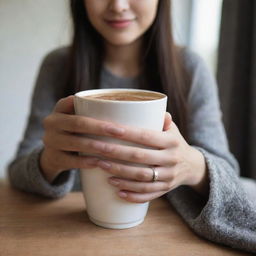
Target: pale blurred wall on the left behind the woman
{"x":28,"y":29}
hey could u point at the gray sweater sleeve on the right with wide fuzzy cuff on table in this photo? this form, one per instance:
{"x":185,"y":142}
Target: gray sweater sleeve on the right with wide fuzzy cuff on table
{"x":227,"y":216}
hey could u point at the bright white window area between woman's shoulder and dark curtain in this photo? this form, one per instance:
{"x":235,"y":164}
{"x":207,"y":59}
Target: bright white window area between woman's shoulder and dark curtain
{"x":196,"y":25}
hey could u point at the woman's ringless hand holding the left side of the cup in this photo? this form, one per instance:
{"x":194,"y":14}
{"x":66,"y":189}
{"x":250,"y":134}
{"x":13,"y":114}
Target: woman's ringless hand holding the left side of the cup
{"x":62,"y":139}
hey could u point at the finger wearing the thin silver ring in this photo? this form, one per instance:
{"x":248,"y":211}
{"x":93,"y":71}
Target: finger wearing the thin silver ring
{"x":138,"y":173}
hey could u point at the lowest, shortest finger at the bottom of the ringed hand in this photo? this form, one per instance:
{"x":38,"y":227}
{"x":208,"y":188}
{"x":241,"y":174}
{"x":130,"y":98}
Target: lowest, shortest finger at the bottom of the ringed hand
{"x":139,"y":197}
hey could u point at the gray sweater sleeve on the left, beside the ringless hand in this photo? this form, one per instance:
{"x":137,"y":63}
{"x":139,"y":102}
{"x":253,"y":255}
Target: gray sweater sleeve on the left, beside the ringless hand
{"x":24,"y":171}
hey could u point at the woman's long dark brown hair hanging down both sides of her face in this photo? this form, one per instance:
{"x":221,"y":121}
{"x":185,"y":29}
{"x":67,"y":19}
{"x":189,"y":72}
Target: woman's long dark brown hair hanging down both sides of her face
{"x":163,"y":68}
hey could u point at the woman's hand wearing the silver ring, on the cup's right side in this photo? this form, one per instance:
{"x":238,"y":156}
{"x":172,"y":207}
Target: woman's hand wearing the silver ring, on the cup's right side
{"x":175,"y":161}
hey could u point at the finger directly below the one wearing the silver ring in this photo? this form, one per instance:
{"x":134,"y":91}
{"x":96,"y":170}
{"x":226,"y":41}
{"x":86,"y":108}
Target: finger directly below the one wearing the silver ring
{"x":140,"y":187}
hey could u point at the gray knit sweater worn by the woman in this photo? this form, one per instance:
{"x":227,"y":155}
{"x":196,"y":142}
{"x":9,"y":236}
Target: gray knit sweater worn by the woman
{"x":227,"y":216}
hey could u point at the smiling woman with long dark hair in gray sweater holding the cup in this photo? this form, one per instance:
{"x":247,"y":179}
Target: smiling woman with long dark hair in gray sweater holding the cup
{"x":128,"y":43}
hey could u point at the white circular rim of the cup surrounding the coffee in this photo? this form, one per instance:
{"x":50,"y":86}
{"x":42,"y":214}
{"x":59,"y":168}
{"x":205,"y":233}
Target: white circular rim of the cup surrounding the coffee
{"x":81,"y":95}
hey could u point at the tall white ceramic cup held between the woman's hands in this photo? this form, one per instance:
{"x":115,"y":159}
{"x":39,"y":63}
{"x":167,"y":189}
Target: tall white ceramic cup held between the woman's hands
{"x":103,"y":205}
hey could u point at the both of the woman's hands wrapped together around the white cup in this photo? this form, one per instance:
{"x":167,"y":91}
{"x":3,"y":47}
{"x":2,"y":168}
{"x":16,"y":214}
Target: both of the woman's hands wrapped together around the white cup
{"x":176,"y":162}
